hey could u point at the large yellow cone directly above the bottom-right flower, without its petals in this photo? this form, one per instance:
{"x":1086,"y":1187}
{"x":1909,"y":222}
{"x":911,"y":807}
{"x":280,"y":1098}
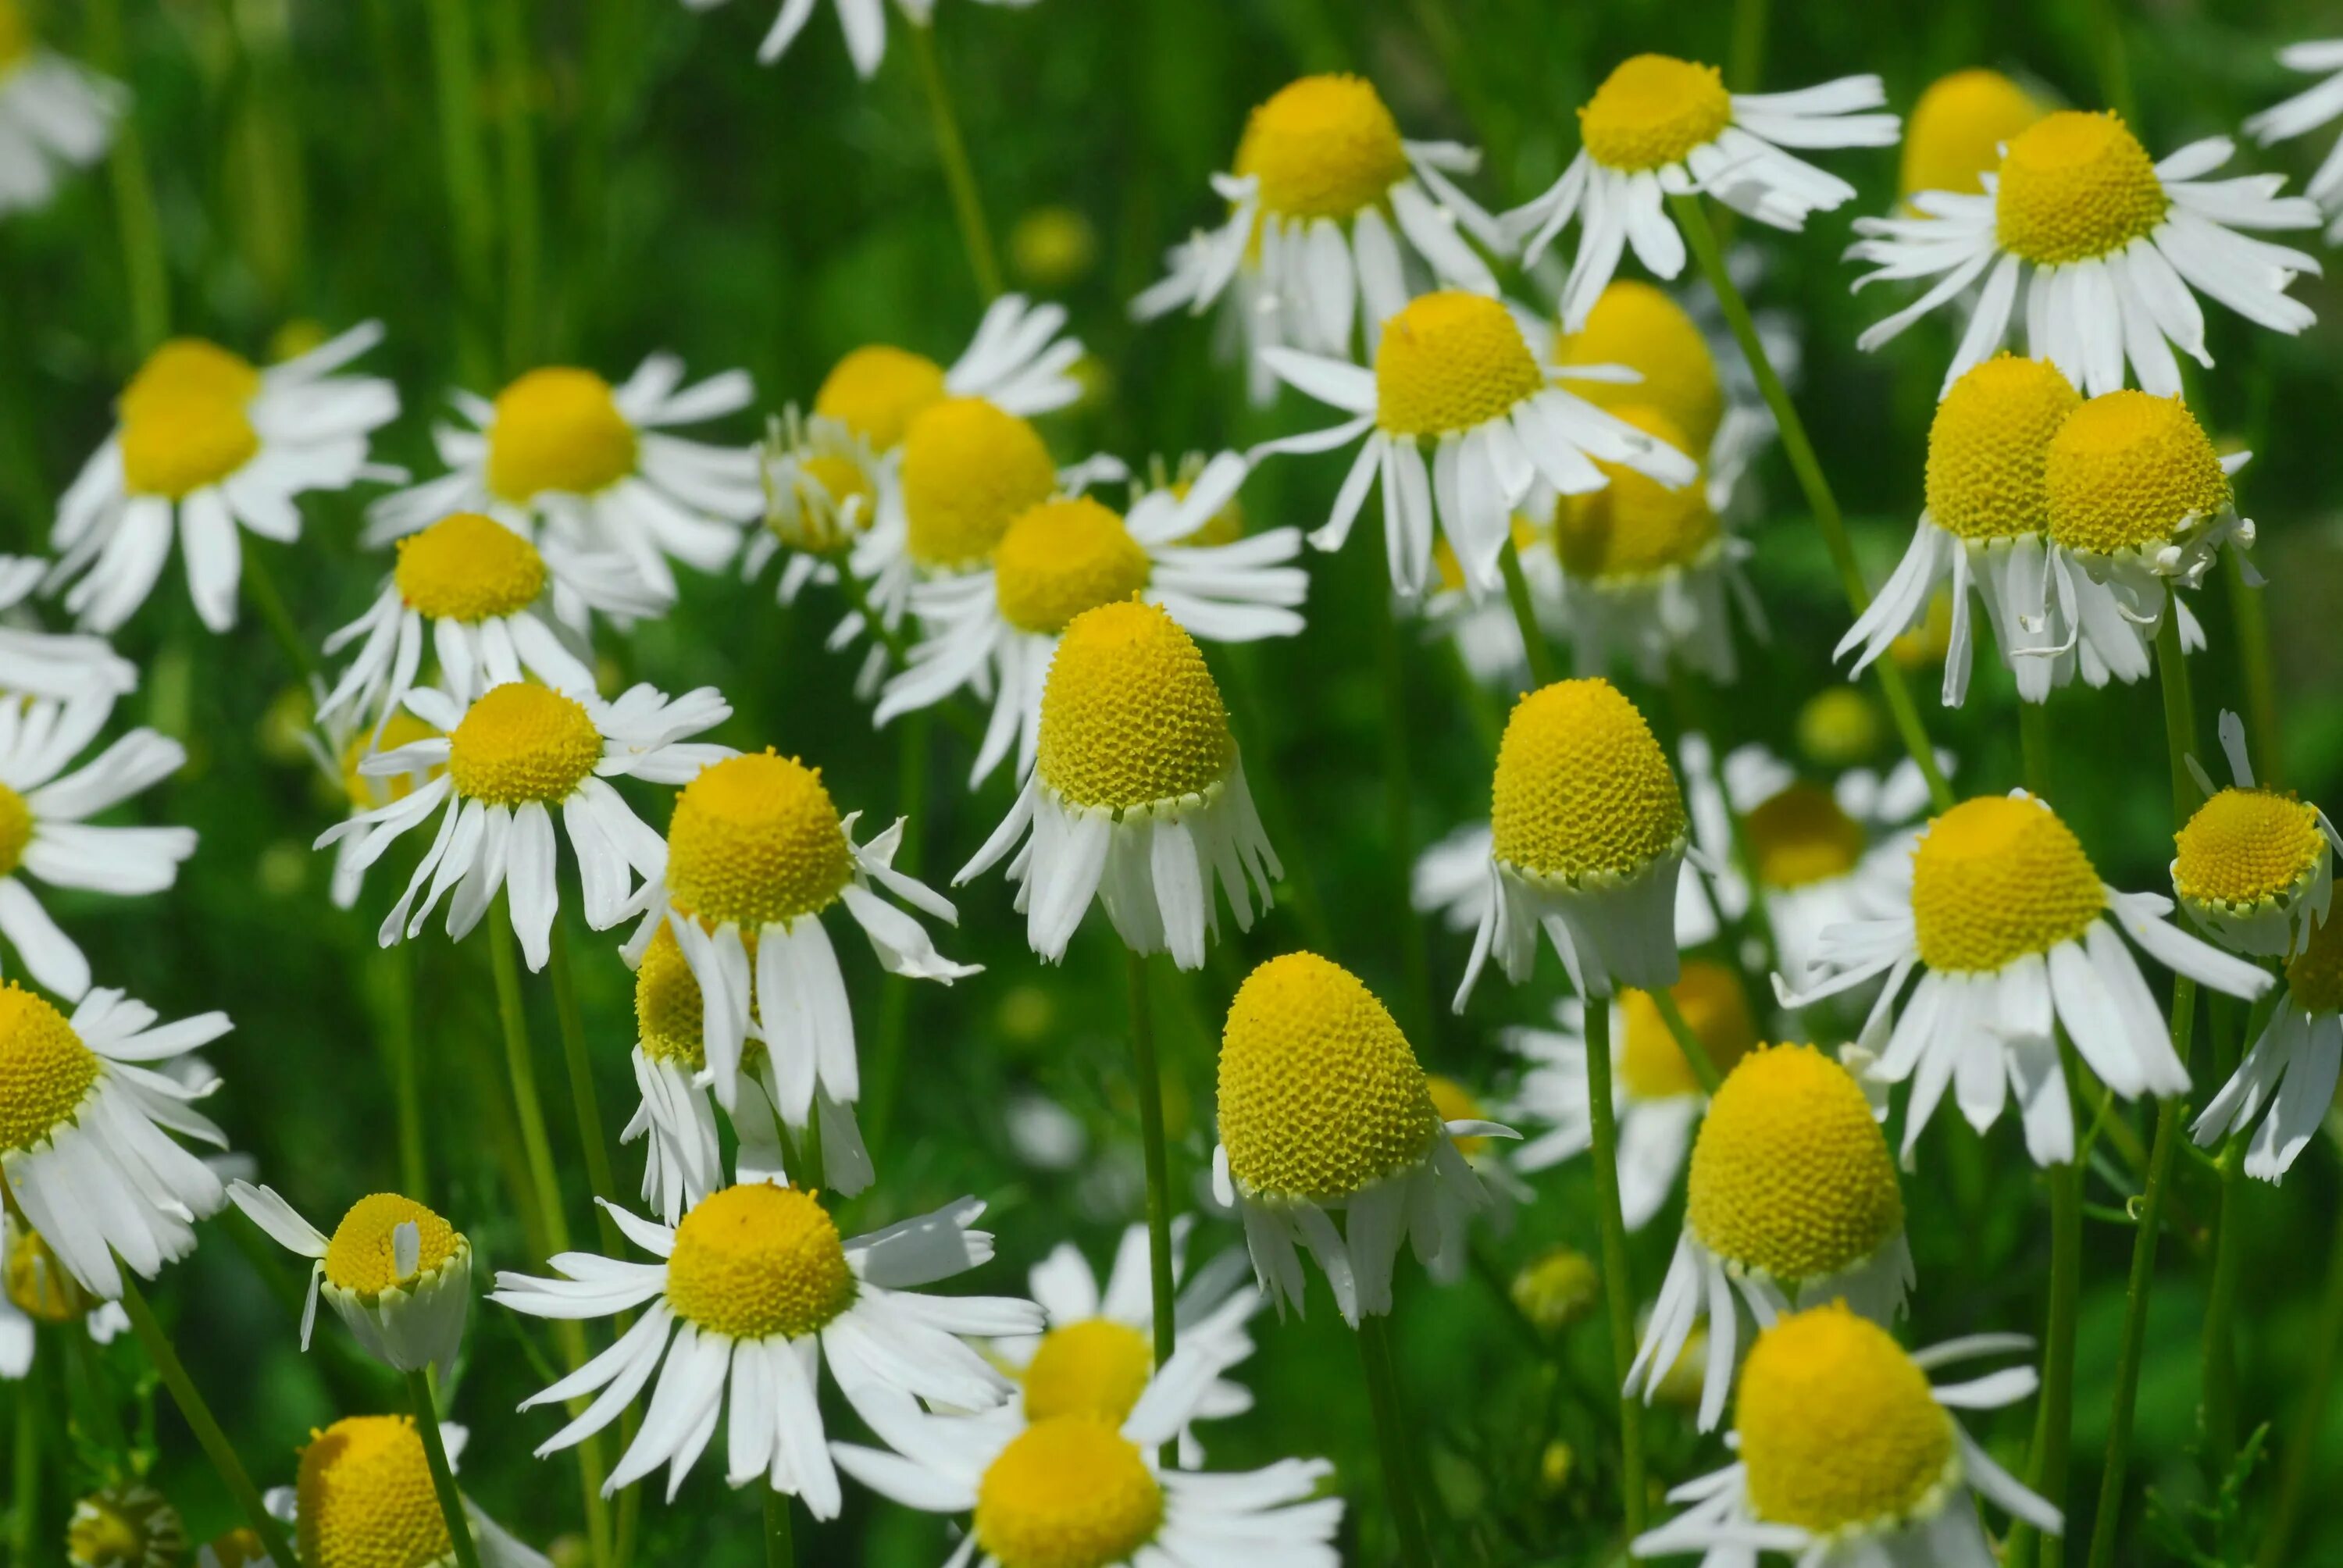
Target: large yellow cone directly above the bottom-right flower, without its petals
{"x":1791,"y":1178}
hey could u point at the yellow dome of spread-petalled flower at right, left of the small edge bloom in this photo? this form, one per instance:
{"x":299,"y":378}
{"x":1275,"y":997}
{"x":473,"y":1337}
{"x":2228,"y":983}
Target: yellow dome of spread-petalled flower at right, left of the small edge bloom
{"x":1995,"y":880}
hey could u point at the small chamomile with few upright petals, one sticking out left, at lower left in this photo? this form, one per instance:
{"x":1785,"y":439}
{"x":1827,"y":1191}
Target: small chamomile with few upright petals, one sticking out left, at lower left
{"x":395,"y":1272}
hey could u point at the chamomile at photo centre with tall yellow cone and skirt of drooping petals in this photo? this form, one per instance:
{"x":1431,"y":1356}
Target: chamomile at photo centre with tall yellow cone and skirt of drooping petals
{"x":1138,"y":796}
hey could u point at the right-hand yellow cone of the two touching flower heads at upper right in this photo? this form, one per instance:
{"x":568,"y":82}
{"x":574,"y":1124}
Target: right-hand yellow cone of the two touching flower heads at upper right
{"x":2131,"y":470}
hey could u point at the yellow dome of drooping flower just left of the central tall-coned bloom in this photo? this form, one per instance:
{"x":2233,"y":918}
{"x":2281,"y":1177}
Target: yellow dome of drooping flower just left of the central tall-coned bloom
{"x":758,"y":843}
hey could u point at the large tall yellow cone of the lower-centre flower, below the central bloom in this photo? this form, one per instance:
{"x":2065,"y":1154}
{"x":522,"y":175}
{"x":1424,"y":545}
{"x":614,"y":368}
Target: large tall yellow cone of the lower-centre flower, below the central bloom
{"x":1320,"y":1091}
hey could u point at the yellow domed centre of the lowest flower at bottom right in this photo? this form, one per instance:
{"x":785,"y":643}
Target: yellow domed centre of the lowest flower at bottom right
{"x":1840,"y":1429}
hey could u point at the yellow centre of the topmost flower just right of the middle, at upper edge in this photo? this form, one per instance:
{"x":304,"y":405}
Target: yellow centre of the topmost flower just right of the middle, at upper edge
{"x":1323,"y":149}
